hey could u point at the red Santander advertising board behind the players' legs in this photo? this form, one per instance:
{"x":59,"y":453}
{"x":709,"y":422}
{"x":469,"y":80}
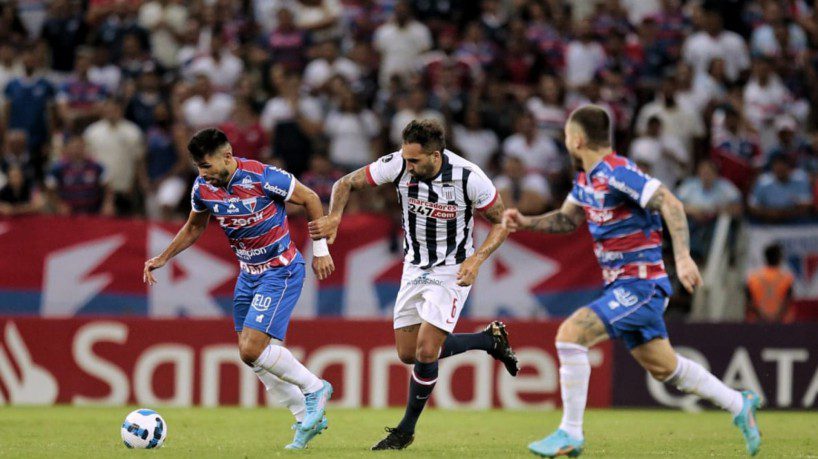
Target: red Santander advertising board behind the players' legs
{"x":187,"y":362}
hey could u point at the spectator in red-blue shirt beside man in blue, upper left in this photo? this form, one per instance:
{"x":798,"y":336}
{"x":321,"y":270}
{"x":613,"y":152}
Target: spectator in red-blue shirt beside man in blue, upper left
{"x":79,"y":100}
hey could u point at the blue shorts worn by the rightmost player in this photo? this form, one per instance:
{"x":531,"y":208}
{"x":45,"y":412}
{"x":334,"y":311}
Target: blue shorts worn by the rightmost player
{"x":633,"y":311}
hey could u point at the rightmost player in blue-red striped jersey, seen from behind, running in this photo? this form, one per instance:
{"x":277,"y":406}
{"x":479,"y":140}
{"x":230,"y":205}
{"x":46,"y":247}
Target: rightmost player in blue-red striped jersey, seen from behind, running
{"x":624,"y":210}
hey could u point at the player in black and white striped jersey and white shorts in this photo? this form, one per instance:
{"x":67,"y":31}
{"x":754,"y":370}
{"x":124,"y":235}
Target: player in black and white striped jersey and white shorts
{"x":439,"y":193}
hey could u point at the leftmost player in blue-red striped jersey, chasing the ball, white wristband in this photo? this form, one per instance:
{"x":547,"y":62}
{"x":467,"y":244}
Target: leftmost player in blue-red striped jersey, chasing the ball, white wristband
{"x":247,"y":199}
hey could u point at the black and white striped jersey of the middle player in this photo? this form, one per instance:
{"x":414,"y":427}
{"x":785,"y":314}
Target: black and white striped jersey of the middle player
{"x":438,"y":214}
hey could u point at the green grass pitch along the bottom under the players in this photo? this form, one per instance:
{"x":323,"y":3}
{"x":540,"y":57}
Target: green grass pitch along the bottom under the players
{"x":59,"y":432}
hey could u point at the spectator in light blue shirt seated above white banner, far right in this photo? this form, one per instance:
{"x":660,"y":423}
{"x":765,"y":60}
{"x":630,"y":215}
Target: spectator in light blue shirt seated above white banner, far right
{"x":783,"y":195}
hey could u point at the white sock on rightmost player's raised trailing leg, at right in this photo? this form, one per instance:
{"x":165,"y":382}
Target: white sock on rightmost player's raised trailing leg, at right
{"x":690,"y":377}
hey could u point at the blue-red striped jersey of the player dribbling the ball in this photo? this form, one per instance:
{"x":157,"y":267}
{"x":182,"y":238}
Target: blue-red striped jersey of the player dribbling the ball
{"x":250,"y":210}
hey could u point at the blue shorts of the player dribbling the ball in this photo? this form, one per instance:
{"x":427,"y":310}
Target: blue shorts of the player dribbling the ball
{"x":266,"y":301}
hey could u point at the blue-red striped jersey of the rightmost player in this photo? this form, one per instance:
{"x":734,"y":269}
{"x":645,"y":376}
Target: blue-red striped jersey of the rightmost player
{"x":627,"y":236}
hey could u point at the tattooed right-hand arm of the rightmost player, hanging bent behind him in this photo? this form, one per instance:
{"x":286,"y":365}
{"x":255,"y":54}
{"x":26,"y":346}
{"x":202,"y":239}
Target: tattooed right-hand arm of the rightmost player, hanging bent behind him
{"x":672,"y":211}
